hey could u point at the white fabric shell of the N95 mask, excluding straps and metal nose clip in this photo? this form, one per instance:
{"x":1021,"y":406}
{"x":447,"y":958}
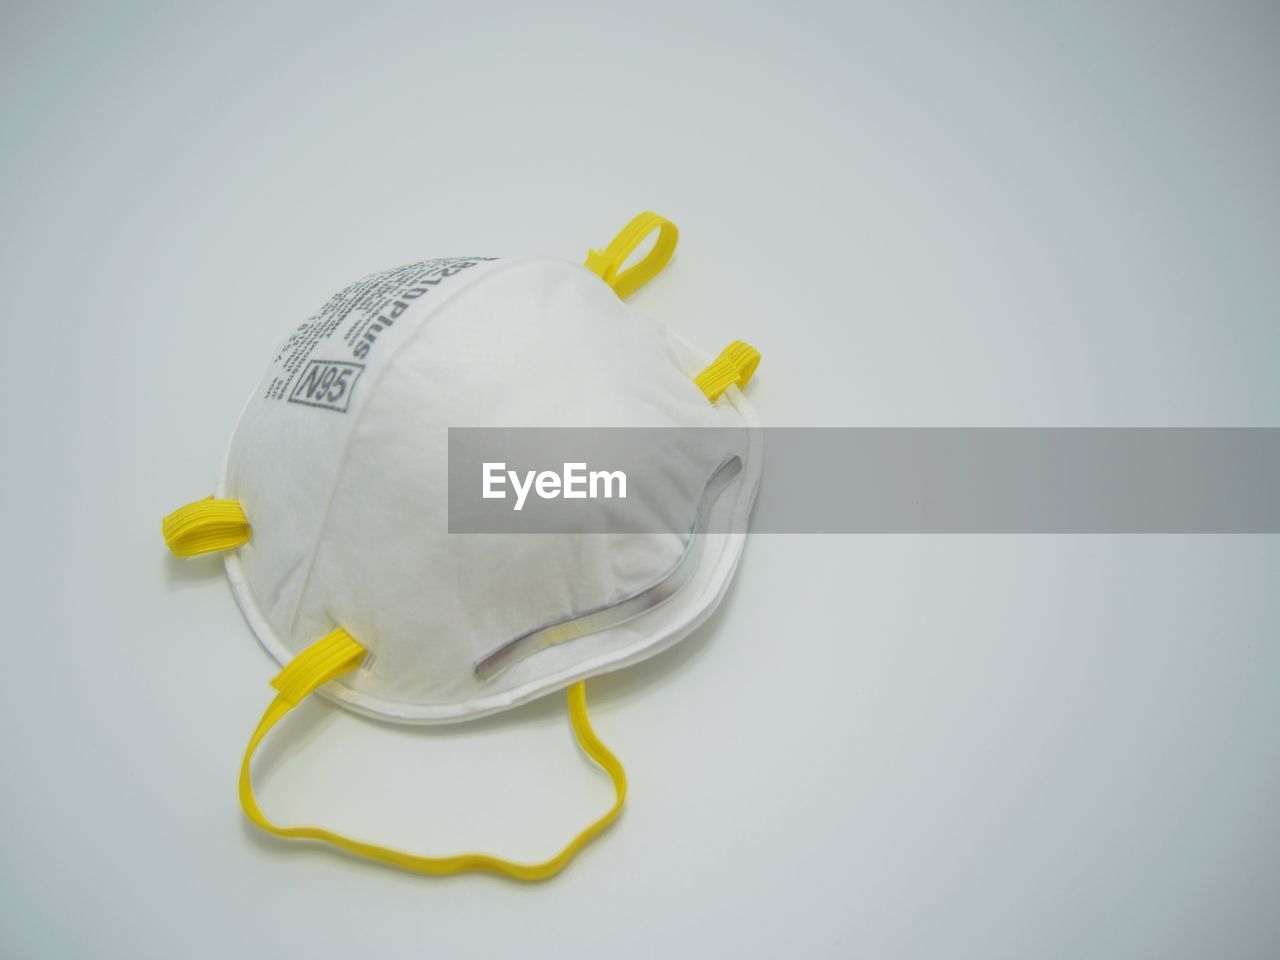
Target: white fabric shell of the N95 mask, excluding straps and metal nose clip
{"x":350,"y":508}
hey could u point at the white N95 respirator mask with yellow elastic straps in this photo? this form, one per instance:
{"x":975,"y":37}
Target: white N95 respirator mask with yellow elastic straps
{"x":333,"y":505}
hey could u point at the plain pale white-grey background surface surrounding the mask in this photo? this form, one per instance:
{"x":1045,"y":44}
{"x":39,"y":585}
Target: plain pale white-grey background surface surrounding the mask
{"x":895,"y":747}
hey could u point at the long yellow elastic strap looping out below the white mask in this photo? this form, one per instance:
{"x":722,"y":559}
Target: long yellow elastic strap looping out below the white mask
{"x":337,"y":655}
